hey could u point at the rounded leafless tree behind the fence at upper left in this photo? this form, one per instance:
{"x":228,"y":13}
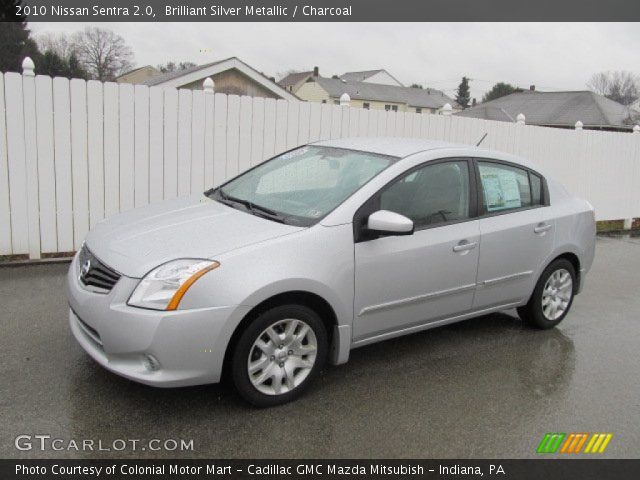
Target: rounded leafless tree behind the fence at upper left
{"x":104,"y":54}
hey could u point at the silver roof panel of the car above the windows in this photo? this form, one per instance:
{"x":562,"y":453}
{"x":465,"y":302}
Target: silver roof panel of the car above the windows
{"x":404,"y":147}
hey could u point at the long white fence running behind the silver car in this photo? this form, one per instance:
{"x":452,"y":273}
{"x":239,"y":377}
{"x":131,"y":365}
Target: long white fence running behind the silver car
{"x":75,"y":152}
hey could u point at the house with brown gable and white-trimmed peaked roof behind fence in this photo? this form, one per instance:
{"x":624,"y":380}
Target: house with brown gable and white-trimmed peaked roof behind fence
{"x":231,"y":76}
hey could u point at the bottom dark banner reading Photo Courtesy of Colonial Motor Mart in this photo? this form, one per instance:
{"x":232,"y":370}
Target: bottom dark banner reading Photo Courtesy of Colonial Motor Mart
{"x":284,"y":469}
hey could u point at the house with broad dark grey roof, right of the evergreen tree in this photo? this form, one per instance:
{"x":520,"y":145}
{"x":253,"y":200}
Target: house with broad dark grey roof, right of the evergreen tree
{"x":556,"y":109}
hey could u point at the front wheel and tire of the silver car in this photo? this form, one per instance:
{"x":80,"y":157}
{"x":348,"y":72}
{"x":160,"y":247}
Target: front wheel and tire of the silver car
{"x":278,"y":355}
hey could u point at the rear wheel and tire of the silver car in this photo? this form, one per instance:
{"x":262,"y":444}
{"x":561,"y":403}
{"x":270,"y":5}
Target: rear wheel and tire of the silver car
{"x":553,"y":290}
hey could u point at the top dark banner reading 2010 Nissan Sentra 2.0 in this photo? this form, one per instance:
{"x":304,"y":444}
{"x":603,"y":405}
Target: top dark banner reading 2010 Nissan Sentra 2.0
{"x":329,"y":10}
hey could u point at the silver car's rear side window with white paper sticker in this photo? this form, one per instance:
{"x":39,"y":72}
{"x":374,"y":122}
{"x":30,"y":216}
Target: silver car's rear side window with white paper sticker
{"x":505,"y":187}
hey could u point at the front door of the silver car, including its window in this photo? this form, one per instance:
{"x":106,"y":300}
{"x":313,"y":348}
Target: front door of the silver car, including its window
{"x":406,"y":281}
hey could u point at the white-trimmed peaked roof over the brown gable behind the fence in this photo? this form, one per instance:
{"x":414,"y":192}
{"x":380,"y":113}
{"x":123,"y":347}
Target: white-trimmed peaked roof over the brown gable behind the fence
{"x":199,"y":72}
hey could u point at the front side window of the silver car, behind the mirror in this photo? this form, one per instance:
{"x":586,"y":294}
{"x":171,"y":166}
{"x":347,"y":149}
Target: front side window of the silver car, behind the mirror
{"x":433,"y":194}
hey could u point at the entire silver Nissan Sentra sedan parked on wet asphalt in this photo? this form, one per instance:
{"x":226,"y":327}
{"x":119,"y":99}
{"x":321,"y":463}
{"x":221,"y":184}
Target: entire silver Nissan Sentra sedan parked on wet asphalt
{"x":322,"y":249}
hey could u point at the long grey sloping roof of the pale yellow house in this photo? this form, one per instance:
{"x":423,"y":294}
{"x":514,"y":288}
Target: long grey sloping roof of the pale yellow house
{"x":414,"y":97}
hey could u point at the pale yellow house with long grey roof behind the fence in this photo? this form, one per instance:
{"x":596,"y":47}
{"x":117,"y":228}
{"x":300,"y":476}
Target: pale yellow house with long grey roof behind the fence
{"x":371,"y":89}
